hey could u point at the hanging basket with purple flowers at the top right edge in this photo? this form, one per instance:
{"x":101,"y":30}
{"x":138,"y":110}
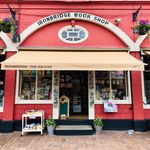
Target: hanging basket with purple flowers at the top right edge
{"x":142,"y":28}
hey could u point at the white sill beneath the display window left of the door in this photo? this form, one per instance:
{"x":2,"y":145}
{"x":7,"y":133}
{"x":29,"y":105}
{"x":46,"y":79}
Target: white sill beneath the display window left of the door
{"x":34,"y":102}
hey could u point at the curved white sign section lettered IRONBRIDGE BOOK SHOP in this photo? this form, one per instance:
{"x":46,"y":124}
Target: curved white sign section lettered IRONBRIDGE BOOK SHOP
{"x":72,"y":15}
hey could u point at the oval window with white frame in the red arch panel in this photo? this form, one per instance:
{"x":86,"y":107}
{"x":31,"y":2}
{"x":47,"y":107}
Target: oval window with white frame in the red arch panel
{"x":71,"y":34}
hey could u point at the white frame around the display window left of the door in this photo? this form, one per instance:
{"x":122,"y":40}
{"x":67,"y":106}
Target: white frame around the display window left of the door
{"x":19,"y":101}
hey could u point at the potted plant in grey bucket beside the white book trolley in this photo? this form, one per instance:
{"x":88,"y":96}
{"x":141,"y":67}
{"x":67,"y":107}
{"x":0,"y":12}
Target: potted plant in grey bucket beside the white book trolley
{"x":50,"y":126}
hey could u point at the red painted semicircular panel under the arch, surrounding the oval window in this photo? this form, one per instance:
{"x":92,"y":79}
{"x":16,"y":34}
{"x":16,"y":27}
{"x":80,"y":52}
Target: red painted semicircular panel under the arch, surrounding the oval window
{"x":50,"y":32}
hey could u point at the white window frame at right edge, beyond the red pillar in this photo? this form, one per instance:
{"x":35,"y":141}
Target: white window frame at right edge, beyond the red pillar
{"x":145,"y":105}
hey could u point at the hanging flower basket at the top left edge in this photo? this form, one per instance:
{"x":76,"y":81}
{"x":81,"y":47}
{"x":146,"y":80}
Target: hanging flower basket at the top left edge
{"x":7,"y":25}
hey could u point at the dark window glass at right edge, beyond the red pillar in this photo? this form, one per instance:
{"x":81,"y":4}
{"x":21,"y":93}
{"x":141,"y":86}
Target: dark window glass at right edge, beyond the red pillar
{"x":146,"y":59}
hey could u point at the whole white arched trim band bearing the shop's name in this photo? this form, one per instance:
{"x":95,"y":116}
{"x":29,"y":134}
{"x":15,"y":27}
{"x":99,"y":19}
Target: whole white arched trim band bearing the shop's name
{"x":108,"y":25}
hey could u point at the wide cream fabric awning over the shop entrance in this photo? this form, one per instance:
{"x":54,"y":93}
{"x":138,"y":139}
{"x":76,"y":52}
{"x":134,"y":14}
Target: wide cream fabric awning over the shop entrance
{"x":52,"y":60}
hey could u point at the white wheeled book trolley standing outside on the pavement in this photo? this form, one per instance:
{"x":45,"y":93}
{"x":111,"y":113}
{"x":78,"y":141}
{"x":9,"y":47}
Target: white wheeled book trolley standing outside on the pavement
{"x":32,"y":127}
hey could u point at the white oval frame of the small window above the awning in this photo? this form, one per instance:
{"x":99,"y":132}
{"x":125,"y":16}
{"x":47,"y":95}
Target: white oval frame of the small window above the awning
{"x":72,"y":42}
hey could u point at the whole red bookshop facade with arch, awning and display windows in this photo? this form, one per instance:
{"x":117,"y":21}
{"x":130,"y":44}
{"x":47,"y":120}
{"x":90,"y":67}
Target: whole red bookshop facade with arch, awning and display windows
{"x":69,"y":35}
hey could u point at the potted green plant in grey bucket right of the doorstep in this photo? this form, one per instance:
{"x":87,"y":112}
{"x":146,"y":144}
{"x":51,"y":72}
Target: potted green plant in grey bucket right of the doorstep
{"x":98,"y":125}
